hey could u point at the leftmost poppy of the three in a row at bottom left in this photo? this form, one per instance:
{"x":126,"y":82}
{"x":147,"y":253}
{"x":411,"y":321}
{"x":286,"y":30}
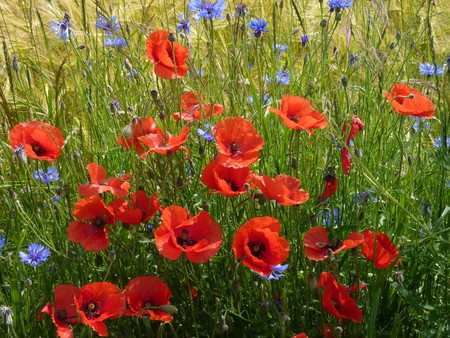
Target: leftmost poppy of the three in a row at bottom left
{"x":64,"y":311}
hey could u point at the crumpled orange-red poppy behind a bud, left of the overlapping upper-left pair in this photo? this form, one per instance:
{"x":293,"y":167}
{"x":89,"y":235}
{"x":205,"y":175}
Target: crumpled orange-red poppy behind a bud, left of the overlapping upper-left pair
{"x":139,"y":126}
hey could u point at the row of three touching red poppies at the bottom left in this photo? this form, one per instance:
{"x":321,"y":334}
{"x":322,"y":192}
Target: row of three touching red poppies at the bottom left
{"x":93,"y":303}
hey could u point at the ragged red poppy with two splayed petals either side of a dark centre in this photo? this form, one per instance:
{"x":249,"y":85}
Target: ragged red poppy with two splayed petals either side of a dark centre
{"x":317,"y":244}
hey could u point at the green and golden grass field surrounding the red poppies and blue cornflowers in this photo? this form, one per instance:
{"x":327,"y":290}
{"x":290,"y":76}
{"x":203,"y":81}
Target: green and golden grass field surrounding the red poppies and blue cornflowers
{"x":72,"y":84}
